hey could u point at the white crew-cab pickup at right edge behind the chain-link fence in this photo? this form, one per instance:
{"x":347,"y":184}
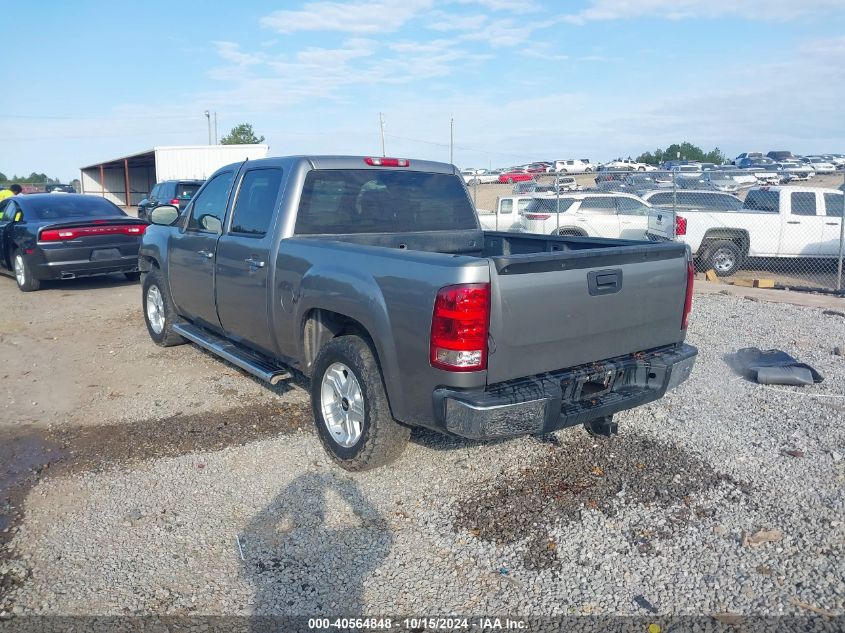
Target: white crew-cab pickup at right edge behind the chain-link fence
{"x":773,"y":222}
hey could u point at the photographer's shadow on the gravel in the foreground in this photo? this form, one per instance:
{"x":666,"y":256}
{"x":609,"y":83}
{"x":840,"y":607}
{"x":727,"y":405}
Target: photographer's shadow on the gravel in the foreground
{"x":310,"y":551}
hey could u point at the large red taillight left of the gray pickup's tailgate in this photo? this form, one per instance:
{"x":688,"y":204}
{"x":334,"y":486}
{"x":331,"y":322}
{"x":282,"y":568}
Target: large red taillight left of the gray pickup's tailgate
{"x":459,"y":328}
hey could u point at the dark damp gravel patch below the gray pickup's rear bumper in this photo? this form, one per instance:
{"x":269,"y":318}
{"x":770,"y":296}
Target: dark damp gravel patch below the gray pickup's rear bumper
{"x":603,"y":475}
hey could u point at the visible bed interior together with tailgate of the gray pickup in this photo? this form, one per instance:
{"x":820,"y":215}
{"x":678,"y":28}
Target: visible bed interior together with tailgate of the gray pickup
{"x":562,"y":301}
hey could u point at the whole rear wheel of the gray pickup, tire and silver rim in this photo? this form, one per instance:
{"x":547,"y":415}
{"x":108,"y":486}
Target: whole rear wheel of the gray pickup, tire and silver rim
{"x":351,"y":412}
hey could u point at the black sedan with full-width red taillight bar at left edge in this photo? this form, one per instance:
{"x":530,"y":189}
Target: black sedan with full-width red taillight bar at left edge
{"x":48,"y":236}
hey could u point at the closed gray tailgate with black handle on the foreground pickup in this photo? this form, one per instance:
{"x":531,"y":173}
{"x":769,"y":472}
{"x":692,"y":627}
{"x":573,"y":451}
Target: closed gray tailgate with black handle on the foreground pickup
{"x":555,"y":310}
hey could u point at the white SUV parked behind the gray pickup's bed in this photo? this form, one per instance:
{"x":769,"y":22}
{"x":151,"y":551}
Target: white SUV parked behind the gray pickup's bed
{"x":588,"y":214}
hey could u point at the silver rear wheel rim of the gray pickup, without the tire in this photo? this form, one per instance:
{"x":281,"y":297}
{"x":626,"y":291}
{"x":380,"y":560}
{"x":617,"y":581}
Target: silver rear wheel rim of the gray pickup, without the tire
{"x":342,"y":404}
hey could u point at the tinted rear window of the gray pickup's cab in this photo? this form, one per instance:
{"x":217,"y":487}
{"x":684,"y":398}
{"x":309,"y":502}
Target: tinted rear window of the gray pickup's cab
{"x":382,"y":201}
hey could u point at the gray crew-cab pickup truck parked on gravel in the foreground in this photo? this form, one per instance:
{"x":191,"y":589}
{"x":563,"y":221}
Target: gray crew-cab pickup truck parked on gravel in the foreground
{"x":373,"y":277}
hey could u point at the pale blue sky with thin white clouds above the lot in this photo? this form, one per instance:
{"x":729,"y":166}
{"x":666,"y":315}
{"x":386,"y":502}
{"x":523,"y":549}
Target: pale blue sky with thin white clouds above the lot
{"x":523,"y":80}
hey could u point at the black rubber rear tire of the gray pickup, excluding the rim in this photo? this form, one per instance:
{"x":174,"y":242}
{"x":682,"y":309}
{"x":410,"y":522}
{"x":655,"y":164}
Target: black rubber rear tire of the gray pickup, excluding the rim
{"x":382,"y":439}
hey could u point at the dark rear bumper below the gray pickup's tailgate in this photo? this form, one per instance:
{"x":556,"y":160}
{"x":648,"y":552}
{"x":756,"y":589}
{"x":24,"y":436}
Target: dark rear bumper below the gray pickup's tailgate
{"x":552,"y":401}
